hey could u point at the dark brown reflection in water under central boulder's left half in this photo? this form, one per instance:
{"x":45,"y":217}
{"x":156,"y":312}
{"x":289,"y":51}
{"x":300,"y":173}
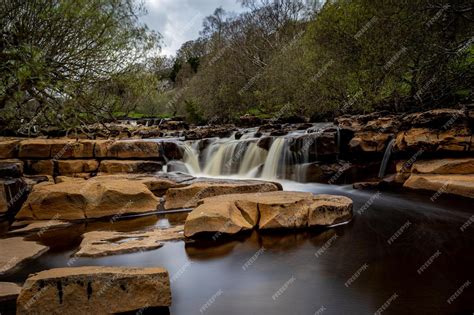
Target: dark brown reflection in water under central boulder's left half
{"x":207,"y":248}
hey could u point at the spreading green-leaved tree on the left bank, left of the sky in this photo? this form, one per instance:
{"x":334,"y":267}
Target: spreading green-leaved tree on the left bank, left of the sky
{"x":54,"y":53}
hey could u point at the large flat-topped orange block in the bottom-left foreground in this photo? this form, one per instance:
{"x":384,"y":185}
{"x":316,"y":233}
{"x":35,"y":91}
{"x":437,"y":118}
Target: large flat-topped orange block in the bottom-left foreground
{"x":94,"y":290}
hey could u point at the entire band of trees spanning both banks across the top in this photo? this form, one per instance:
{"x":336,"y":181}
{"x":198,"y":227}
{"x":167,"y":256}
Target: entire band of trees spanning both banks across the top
{"x":70,"y":63}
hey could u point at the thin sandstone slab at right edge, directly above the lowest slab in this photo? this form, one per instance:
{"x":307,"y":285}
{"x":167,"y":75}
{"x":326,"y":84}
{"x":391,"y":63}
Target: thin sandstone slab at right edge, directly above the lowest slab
{"x":444,"y":166}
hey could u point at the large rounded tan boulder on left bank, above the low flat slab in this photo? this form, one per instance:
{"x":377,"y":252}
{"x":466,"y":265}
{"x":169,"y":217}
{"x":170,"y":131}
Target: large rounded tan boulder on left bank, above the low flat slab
{"x":89,"y":199}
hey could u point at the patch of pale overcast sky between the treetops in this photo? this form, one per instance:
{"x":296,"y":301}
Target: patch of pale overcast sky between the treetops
{"x":181,"y":20}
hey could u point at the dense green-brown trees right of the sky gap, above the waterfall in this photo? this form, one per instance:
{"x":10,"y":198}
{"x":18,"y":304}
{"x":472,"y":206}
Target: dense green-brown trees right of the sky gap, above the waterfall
{"x":285,"y":58}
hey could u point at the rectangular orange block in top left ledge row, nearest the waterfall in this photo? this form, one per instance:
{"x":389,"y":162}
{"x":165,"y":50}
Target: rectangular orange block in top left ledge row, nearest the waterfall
{"x":128,"y":149}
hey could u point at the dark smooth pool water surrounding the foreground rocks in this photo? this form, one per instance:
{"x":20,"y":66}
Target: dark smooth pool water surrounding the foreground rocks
{"x":402,"y":254}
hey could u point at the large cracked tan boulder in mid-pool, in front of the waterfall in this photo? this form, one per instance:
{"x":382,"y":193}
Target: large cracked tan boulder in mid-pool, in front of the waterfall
{"x":267,"y":210}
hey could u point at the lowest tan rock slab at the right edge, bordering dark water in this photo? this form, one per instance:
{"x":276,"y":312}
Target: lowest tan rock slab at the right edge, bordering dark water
{"x":462,"y":185}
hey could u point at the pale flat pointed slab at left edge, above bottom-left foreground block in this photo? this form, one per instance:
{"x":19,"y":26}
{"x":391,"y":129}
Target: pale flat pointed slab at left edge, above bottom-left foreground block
{"x":15,"y":250}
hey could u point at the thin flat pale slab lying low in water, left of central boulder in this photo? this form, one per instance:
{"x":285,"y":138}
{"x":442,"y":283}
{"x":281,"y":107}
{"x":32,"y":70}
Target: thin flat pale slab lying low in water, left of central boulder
{"x":104,"y":243}
